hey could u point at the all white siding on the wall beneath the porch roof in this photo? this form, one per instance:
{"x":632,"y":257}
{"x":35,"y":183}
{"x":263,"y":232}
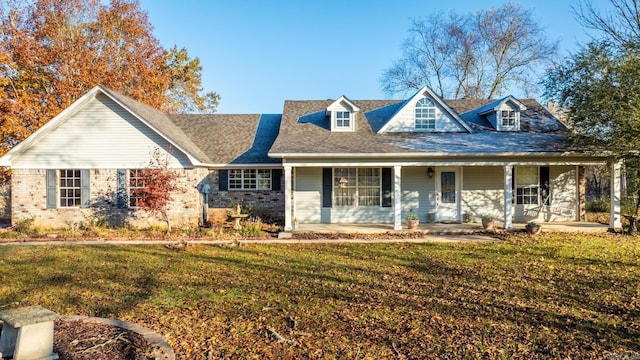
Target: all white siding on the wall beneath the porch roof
{"x":482,"y":192}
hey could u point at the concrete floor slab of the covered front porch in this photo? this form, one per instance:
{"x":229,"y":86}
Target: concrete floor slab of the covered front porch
{"x":445,"y":228}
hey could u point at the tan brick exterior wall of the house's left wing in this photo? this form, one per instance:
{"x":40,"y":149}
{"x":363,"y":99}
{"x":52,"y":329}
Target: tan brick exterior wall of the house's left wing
{"x":28,"y":199}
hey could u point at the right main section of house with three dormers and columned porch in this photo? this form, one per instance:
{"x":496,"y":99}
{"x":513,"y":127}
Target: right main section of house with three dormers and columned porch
{"x":373,"y":161}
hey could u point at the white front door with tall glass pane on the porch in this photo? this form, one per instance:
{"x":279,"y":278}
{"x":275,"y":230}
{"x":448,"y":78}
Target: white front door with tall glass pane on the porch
{"x":447,"y":194}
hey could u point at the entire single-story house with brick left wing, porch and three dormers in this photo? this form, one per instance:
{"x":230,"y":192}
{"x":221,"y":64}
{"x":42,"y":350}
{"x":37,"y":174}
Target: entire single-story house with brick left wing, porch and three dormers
{"x":334,"y":161}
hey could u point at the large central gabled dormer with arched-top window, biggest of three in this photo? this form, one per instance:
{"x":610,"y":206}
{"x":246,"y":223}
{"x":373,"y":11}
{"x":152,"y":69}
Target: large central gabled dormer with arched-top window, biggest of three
{"x":425,"y":112}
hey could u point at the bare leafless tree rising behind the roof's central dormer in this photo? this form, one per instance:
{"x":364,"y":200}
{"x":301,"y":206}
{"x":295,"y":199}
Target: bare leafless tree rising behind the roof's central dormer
{"x":477,"y":55}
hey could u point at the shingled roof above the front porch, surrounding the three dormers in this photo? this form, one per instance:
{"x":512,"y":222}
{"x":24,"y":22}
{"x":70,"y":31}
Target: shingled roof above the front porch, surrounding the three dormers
{"x":305,"y":130}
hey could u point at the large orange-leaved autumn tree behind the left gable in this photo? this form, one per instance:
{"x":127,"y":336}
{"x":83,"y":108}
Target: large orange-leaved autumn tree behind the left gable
{"x":54,"y":51}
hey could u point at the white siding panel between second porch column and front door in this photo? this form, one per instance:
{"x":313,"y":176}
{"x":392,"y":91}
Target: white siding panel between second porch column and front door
{"x":418,"y":192}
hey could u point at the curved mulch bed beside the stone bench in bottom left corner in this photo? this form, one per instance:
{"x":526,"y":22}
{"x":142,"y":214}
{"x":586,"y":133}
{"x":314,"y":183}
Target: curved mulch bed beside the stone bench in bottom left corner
{"x":80,"y":340}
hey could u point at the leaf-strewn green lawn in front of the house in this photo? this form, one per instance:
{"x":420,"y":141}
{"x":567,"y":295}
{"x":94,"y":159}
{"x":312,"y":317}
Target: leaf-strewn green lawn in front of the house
{"x":550,"y":296}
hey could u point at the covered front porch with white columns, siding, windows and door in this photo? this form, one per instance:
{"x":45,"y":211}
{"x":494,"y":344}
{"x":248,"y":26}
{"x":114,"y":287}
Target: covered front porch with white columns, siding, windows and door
{"x":348,"y":193}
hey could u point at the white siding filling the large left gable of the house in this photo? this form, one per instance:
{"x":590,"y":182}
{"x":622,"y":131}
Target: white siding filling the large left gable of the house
{"x":100,"y":135}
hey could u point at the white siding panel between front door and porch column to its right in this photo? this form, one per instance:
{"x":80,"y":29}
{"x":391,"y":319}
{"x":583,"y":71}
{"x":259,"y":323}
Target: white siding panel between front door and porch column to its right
{"x":483,"y":191}
